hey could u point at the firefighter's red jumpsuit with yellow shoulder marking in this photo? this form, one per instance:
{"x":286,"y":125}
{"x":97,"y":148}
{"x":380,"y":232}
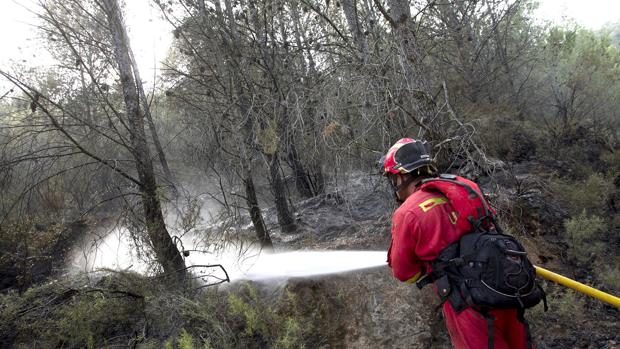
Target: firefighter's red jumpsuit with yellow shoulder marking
{"x":421,"y":228}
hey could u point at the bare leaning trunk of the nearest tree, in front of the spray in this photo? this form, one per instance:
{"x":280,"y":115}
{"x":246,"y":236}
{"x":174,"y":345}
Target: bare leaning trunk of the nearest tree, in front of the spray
{"x":166,"y":251}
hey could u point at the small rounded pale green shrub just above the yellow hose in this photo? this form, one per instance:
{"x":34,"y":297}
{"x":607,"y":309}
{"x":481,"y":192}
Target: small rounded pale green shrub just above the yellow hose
{"x":582,"y":232}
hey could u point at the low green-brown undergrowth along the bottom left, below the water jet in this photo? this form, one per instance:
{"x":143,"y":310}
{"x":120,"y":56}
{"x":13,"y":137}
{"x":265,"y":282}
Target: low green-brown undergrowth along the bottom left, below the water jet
{"x":131,"y":310}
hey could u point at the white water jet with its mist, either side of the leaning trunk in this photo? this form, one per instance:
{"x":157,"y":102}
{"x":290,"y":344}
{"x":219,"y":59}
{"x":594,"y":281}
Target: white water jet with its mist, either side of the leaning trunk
{"x":215,"y":249}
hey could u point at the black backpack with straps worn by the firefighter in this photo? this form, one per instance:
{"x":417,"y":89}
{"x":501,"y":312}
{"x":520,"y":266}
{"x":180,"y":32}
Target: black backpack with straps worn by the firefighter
{"x":486,"y":269}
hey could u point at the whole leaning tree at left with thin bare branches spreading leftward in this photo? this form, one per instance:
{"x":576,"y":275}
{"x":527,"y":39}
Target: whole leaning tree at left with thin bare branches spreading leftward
{"x":111,"y":135}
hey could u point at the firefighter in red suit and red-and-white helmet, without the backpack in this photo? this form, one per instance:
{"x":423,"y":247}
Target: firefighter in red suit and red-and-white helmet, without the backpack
{"x":422,"y":226}
